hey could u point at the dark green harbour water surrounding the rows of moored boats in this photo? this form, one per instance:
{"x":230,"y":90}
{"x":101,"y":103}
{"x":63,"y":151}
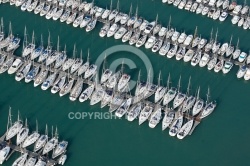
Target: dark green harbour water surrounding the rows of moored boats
{"x":220,"y":139}
